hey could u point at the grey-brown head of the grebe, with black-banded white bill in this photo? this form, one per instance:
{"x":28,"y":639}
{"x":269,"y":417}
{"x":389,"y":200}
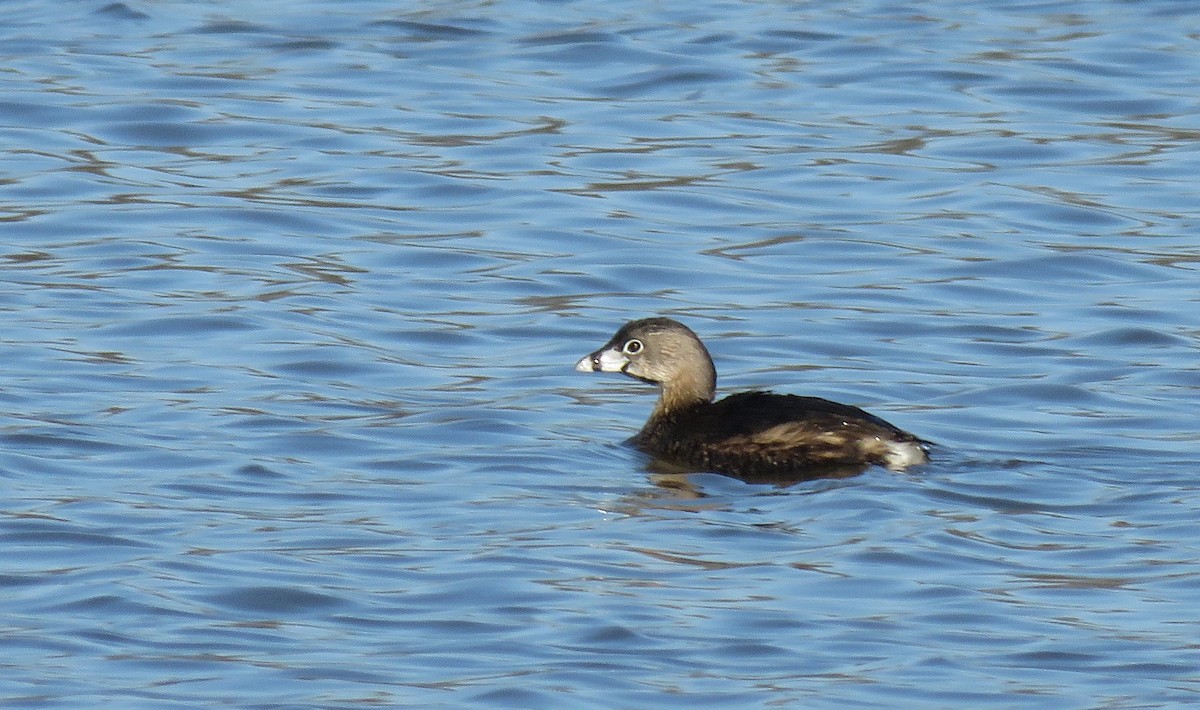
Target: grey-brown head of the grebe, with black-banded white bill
{"x":663,"y":352}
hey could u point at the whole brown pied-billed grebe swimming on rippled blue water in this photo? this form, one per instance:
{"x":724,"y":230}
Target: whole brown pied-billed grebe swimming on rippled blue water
{"x":751,"y":435}
